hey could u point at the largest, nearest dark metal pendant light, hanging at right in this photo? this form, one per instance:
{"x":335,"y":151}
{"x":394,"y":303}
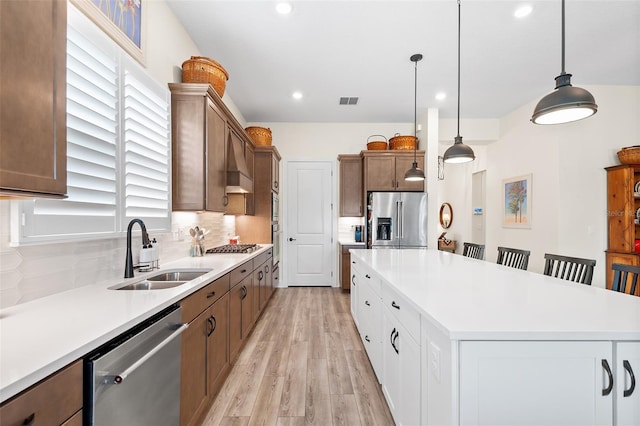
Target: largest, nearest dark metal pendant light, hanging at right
{"x":567,"y":103}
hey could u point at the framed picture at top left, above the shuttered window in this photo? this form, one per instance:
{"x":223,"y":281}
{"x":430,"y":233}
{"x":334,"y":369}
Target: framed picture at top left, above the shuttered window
{"x":122,"y":20}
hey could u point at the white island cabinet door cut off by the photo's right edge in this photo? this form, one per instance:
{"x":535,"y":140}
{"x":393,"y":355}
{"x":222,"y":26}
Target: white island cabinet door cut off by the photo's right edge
{"x":627,"y":410}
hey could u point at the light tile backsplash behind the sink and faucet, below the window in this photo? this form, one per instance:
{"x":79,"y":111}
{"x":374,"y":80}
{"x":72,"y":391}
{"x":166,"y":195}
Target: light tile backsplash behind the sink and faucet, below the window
{"x":31,"y":272}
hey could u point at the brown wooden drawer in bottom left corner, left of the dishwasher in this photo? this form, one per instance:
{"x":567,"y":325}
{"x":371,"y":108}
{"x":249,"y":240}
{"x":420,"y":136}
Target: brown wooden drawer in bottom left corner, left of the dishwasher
{"x":50,"y":402}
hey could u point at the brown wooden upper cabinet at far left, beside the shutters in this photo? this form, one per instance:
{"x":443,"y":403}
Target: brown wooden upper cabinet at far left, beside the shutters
{"x":33,"y":131}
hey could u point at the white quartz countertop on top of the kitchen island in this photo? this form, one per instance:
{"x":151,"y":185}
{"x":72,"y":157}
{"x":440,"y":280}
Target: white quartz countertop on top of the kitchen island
{"x":470,"y":299}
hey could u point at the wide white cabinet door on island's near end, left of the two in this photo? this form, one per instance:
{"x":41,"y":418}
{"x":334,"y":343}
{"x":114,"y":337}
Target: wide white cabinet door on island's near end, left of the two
{"x":535,"y":383}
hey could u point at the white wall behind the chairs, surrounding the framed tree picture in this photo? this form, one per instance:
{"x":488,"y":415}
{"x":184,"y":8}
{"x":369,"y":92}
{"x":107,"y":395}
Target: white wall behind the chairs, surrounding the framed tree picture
{"x":567,"y":161}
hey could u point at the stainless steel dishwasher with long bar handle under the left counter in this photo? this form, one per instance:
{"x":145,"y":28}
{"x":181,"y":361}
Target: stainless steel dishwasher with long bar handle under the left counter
{"x":135,"y":378}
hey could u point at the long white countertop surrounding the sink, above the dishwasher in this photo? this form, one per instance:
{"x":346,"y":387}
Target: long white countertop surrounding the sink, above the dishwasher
{"x":42,"y":336}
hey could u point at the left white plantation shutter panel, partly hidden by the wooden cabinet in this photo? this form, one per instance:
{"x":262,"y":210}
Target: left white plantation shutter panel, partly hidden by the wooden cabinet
{"x":92,"y":124}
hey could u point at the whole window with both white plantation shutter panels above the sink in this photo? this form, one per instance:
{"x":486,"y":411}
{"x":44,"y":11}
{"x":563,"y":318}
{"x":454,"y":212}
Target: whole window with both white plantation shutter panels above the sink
{"x":117,"y":146}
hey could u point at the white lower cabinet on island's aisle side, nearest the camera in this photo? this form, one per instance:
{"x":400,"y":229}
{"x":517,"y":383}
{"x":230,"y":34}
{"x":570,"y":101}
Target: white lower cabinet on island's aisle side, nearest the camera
{"x":401,"y":371}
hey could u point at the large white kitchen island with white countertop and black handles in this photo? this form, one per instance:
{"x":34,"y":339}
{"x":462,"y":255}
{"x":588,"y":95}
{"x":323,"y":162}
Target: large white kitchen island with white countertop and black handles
{"x":460,"y":341}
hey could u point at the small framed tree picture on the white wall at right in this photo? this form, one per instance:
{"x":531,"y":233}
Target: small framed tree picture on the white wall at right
{"x":516,"y":202}
